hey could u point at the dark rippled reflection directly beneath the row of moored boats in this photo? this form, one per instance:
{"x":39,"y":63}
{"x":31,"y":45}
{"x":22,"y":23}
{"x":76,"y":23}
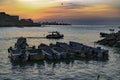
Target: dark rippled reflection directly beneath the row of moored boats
{"x":55,"y":63}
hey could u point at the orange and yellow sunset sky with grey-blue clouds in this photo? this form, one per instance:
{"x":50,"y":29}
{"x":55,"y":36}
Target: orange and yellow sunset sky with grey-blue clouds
{"x":71,"y":11}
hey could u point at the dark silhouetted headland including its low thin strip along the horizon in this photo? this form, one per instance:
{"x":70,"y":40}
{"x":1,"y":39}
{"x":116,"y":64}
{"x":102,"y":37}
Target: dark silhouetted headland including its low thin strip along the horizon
{"x":7,"y":20}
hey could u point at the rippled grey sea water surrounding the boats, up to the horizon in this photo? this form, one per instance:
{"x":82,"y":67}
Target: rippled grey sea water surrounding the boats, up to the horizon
{"x":67,"y":70}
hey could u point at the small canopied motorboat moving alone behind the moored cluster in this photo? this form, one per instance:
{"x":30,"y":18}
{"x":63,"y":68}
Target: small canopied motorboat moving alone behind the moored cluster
{"x":55,"y":35}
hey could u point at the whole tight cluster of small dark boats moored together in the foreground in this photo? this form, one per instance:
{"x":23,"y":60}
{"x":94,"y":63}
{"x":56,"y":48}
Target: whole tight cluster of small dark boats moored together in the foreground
{"x":59,"y":51}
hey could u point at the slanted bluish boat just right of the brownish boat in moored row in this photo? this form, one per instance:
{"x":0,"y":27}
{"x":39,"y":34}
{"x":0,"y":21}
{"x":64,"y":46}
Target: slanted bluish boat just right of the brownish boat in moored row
{"x":46,"y":50}
